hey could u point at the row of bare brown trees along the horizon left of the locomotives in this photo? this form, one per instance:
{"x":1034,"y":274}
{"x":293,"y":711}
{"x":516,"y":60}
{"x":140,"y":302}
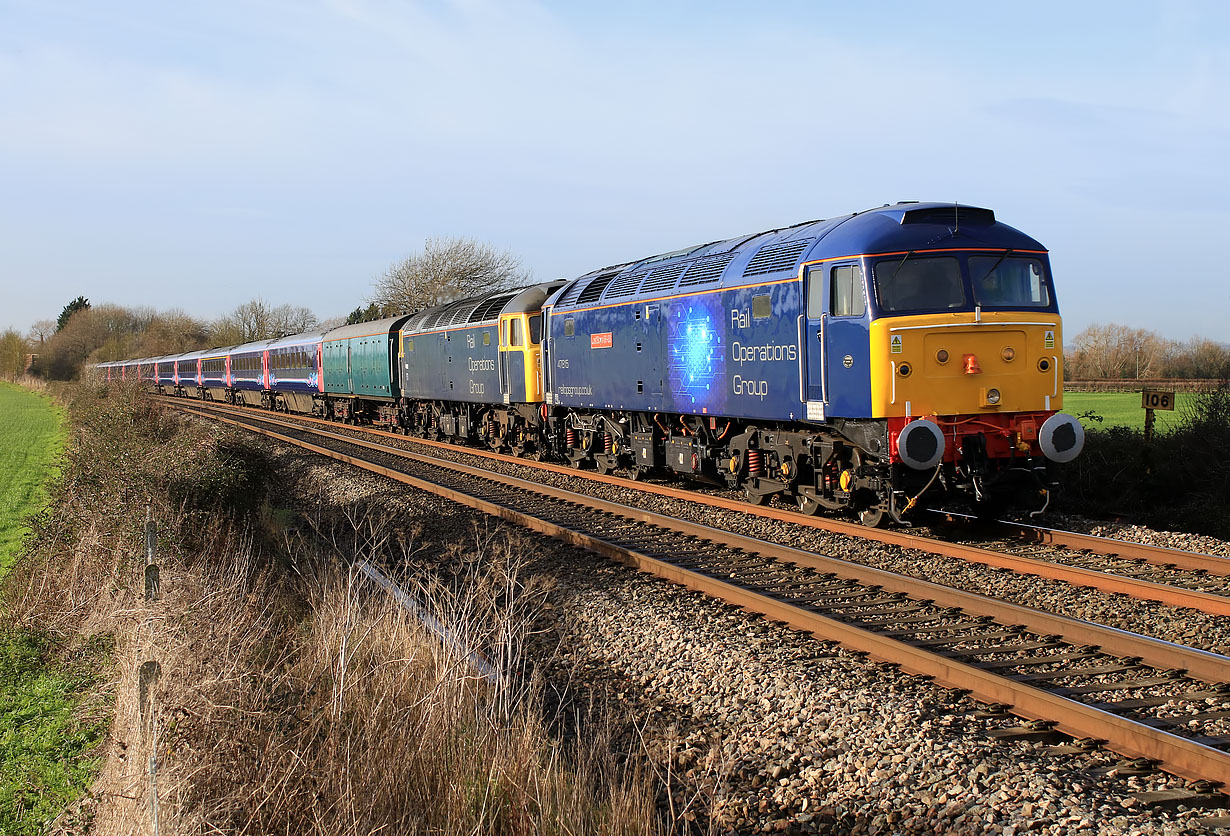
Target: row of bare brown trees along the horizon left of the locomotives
{"x":446,"y":270}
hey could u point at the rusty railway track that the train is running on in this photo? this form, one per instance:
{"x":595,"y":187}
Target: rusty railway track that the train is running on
{"x":1172,"y":577}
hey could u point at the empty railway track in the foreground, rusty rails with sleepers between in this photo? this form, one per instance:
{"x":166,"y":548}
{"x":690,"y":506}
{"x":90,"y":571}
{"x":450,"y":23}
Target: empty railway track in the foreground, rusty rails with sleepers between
{"x":1143,"y":698}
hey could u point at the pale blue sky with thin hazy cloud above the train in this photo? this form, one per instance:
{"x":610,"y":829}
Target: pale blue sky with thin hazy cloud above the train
{"x":196,"y":156}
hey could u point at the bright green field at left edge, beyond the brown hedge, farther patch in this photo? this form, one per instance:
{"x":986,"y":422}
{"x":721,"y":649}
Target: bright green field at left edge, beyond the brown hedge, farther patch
{"x":31,"y":437}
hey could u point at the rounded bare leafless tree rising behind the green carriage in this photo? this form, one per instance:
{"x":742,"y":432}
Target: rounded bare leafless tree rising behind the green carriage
{"x":447,"y":270}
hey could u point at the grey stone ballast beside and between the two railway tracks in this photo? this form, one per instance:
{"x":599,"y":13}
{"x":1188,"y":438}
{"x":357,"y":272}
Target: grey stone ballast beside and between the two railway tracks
{"x":767,"y":731}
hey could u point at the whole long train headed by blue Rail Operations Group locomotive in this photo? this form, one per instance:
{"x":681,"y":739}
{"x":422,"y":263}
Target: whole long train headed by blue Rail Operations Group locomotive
{"x":875,"y":365}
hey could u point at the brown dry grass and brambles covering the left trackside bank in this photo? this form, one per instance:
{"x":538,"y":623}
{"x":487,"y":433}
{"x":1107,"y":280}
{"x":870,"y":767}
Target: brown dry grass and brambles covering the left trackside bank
{"x":295,"y":696}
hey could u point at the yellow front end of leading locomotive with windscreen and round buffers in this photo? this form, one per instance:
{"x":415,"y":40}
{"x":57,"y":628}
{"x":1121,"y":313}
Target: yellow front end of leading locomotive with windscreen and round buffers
{"x":967,"y":372}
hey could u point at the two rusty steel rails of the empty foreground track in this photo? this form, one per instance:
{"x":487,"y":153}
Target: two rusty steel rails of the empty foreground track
{"x":602,"y":527}
